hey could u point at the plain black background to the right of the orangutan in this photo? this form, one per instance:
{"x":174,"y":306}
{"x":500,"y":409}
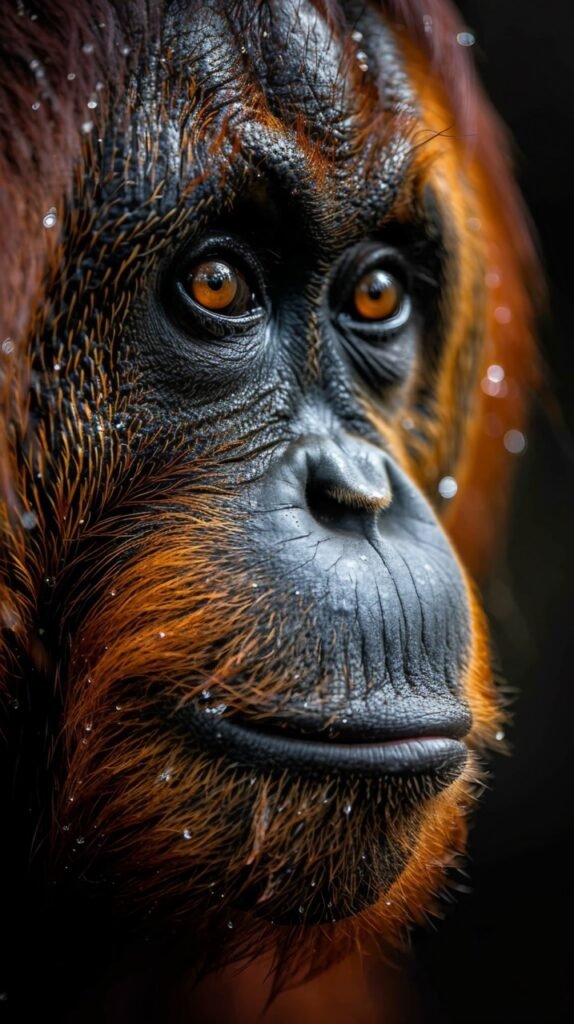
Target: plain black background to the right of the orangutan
{"x":504,"y":954}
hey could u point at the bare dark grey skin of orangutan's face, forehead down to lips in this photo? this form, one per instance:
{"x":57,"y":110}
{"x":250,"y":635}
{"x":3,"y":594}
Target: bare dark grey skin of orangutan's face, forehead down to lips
{"x":362,"y":561}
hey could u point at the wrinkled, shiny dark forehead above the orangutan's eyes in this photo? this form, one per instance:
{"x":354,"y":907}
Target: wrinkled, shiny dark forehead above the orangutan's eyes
{"x":280,"y":83}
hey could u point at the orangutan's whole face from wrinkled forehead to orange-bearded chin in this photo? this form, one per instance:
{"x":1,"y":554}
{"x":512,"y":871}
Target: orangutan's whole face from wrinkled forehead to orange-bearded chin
{"x":255,"y":447}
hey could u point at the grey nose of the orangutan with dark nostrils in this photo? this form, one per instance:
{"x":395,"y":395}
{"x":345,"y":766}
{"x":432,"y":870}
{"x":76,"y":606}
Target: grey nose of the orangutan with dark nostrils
{"x":343,"y":485}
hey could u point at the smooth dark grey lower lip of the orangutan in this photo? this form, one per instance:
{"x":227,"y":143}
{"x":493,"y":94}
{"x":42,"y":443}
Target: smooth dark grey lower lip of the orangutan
{"x":408,"y":757}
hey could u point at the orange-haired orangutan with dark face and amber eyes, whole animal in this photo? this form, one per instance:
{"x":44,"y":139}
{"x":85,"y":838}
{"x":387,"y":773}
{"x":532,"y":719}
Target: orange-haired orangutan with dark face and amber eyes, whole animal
{"x":267,"y":303}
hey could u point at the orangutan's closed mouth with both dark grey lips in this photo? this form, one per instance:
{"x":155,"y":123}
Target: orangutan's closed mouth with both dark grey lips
{"x":369,"y":744}
